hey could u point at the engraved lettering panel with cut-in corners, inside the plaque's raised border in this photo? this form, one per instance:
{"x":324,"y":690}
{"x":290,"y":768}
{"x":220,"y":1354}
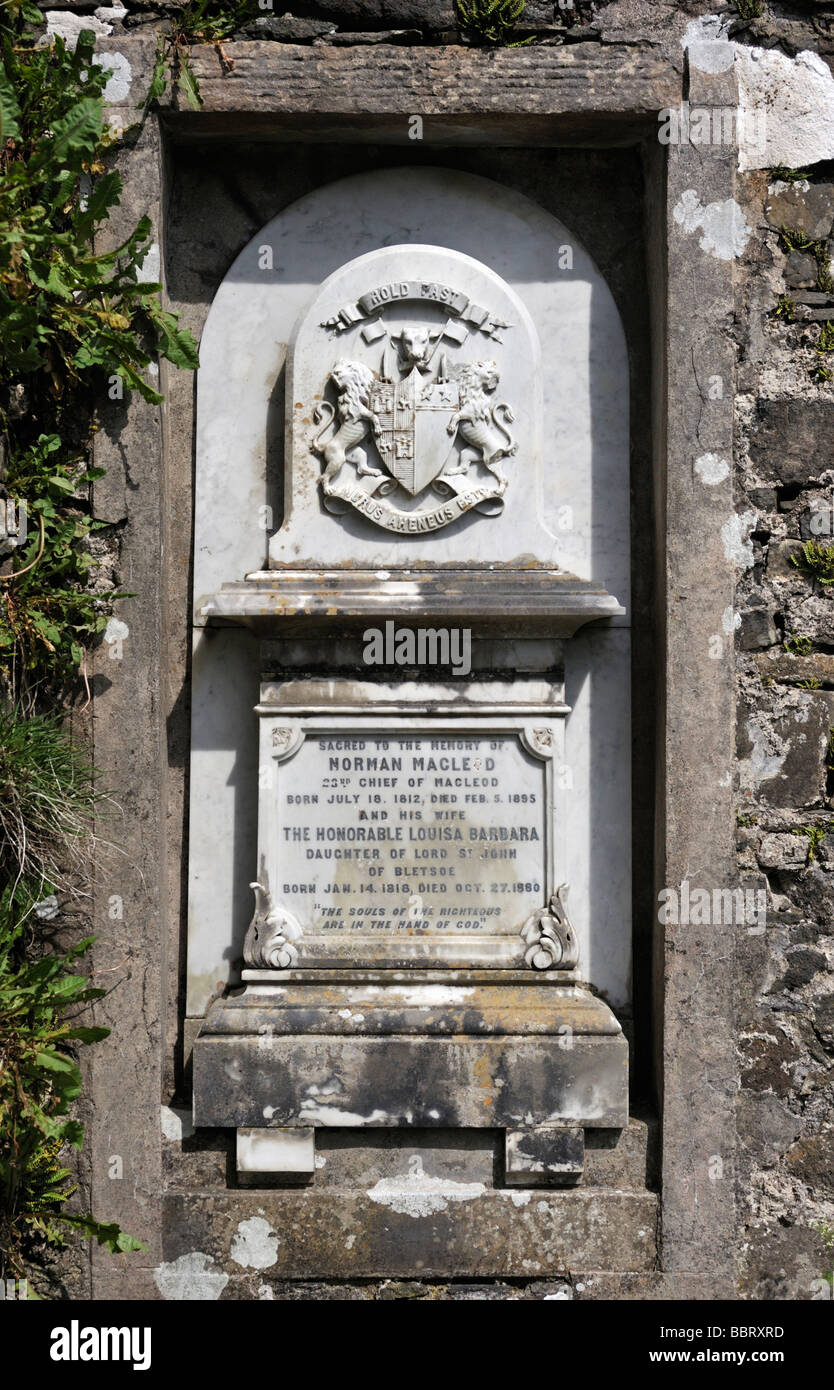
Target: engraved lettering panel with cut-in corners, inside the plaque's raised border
{"x":420,"y":835}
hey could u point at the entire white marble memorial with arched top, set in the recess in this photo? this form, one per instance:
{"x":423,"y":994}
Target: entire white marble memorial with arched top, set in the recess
{"x":415,"y":423}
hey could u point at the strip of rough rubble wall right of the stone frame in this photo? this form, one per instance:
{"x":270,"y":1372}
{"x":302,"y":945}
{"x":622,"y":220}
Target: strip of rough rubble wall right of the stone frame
{"x":785,"y":465}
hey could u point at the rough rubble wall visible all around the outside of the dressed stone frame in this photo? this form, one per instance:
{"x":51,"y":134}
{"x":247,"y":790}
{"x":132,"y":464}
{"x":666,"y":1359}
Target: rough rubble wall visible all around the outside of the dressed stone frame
{"x":783,"y":623}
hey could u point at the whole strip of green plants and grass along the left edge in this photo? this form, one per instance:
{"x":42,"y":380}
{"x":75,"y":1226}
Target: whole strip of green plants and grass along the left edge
{"x":76,"y":323}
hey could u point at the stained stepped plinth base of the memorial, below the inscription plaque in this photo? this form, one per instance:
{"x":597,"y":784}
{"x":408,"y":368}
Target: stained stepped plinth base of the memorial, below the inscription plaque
{"x":528,"y":1056}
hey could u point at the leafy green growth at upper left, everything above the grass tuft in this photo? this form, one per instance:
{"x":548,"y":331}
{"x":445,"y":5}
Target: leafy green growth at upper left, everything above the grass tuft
{"x":73,"y":322}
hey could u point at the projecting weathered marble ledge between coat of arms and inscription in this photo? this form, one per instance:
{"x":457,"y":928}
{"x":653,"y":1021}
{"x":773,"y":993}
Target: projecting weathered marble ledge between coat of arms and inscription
{"x":548,"y":601}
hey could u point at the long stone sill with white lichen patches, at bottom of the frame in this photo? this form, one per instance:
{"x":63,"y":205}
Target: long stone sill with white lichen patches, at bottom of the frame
{"x":402,"y":1228}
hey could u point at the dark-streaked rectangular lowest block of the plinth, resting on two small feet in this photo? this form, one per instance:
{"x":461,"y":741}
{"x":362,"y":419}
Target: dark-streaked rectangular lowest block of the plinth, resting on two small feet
{"x":497,"y":1084}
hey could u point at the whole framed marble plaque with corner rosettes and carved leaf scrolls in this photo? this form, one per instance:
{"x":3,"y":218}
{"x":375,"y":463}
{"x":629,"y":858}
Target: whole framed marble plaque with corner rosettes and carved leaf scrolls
{"x":407,"y":840}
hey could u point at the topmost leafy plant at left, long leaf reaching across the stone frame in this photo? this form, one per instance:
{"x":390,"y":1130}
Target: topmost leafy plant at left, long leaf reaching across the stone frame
{"x":67,"y":311}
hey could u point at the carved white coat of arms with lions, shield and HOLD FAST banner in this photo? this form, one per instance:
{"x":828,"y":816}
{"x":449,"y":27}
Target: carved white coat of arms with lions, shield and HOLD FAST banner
{"x":418,"y":439}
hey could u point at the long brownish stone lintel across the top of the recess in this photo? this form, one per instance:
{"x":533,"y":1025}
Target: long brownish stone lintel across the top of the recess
{"x":576,"y":80}
